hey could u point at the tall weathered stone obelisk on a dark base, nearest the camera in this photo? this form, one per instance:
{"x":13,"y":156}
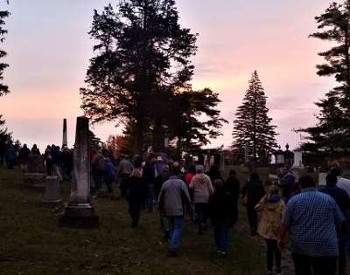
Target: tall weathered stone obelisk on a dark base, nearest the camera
{"x":79,"y":211}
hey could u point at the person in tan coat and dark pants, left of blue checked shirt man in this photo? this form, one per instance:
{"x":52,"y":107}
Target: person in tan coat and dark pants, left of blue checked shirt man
{"x":270,"y":209}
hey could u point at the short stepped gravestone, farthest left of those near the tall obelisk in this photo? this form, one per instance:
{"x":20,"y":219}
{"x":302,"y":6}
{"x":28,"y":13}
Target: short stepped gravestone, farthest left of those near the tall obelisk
{"x":35,"y":175}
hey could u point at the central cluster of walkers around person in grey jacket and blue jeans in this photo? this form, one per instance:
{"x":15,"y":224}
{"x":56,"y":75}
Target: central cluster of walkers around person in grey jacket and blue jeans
{"x":177,"y":192}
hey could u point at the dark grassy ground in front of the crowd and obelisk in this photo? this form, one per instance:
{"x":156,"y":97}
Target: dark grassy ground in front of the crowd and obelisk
{"x":32,"y":243}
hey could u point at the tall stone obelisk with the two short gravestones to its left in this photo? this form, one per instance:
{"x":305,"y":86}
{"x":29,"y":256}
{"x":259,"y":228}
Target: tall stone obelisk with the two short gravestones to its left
{"x":79,"y":211}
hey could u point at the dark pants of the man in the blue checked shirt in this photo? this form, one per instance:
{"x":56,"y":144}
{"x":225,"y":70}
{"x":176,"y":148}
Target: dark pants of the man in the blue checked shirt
{"x":306,"y":265}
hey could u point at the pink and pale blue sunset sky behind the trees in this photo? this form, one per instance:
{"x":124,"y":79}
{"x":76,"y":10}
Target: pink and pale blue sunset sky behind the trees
{"x":49,"y":49}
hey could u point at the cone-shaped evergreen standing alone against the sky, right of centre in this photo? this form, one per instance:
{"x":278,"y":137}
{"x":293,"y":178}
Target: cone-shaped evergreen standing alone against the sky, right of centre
{"x":253,"y":134}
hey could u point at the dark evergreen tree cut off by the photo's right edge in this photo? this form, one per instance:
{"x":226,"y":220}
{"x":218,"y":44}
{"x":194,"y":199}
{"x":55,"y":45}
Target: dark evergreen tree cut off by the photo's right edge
{"x":331,"y":135}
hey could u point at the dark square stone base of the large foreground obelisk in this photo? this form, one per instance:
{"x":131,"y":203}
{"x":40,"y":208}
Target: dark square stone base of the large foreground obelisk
{"x":79,"y":216}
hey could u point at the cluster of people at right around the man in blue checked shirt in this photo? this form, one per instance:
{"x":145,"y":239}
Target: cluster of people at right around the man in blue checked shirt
{"x":316,"y":219}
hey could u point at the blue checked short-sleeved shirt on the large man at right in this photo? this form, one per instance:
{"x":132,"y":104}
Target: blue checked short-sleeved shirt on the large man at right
{"x":311,"y":219}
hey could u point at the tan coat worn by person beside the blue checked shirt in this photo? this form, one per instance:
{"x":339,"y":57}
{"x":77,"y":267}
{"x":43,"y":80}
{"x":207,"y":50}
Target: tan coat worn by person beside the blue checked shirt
{"x":269,"y":215}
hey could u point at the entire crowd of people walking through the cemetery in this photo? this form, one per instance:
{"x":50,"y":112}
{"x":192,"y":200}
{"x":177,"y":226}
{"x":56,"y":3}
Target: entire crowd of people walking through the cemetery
{"x":315,"y":218}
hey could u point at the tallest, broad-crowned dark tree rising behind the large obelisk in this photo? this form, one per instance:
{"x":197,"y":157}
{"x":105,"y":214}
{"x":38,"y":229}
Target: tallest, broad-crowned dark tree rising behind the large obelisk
{"x":142,"y":58}
